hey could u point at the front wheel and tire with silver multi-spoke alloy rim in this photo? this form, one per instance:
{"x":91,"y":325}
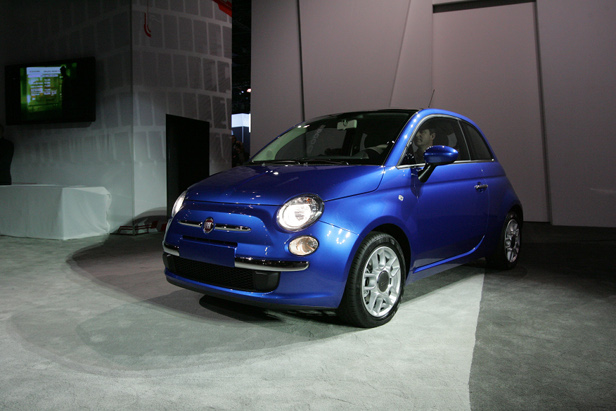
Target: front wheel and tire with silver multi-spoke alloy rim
{"x":375,"y":284}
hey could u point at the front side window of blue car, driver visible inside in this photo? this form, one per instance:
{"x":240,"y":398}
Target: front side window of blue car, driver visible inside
{"x":435,"y":132}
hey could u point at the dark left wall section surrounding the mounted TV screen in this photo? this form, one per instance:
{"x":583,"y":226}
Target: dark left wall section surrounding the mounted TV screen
{"x":96,"y":154}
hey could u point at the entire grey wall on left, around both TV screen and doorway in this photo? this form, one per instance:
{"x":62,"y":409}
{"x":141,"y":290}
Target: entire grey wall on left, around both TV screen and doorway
{"x":183,"y":69}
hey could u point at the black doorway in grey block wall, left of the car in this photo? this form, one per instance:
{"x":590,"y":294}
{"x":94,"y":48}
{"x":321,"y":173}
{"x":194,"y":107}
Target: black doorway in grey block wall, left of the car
{"x":188,"y":155}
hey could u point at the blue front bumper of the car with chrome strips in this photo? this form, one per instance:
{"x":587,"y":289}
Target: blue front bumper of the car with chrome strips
{"x":255,"y":267}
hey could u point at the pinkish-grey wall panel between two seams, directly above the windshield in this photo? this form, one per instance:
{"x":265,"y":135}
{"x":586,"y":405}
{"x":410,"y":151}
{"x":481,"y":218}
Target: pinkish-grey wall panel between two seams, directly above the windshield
{"x":350,"y":52}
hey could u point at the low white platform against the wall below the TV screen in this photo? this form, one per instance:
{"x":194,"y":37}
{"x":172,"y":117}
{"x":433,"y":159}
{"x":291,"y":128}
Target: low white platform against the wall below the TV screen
{"x":54,"y":212}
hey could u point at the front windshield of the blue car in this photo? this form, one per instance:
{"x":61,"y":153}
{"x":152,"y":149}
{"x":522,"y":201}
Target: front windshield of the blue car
{"x":354,"y":138}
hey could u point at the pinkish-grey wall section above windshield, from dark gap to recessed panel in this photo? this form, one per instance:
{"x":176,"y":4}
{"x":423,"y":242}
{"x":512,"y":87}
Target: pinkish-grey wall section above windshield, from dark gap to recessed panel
{"x":333,"y":56}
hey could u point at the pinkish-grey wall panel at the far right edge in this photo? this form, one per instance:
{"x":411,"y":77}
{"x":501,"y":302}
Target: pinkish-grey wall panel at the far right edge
{"x":578,"y":55}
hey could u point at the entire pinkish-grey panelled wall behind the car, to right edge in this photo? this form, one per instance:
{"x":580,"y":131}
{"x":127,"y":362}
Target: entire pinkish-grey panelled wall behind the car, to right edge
{"x":365,"y":54}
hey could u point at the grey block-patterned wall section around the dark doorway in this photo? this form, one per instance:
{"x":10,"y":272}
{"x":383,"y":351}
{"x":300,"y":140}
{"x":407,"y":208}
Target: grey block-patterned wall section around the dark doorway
{"x":183,"y":69}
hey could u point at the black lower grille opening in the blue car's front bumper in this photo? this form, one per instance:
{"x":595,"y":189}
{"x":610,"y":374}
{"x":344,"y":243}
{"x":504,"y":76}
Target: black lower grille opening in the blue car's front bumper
{"x":221,"y":276}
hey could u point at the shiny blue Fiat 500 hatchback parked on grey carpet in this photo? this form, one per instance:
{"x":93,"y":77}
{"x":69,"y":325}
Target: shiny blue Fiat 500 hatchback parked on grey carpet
{"x":342,"y":211}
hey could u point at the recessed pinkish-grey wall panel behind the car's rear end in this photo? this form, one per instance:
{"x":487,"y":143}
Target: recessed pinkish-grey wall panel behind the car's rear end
{"x":486,"y":67}
